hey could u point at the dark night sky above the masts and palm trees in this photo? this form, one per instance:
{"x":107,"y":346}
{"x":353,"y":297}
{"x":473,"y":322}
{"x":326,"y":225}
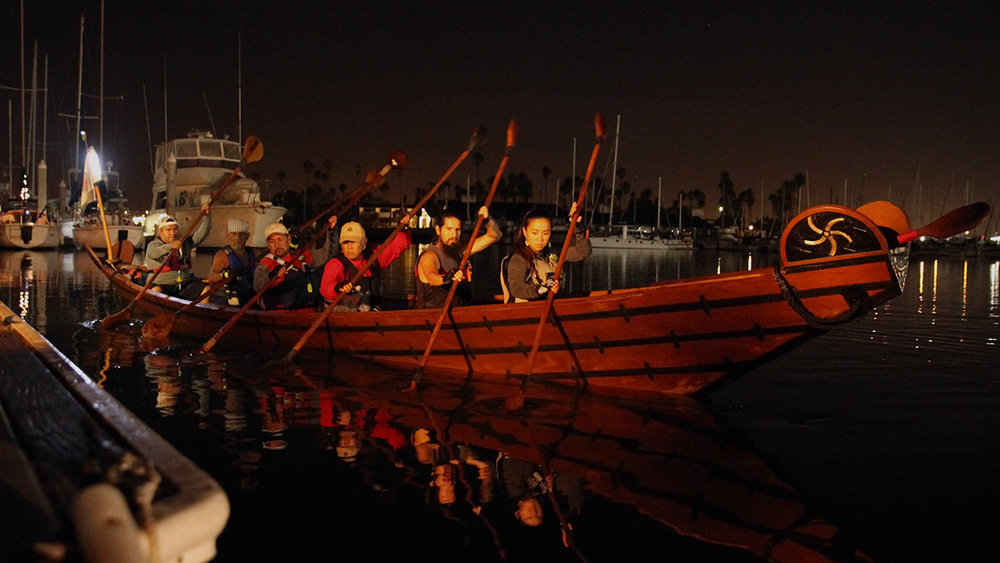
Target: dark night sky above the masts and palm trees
{"x":866,"y":93}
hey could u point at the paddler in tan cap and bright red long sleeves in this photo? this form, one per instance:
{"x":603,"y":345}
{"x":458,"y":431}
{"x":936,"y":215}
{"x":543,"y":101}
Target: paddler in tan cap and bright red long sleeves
{"x":366,"y":294}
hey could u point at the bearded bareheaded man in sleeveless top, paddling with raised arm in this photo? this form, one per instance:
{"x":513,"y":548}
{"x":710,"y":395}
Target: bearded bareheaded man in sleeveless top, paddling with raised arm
{"x":437,"y":267}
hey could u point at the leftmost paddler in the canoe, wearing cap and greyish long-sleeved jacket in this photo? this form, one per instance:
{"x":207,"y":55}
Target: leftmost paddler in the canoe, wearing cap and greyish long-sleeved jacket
{"x":175,"y":278}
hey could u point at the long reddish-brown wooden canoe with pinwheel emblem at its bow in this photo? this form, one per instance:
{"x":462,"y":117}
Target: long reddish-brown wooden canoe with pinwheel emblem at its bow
{"x":673,"y":337}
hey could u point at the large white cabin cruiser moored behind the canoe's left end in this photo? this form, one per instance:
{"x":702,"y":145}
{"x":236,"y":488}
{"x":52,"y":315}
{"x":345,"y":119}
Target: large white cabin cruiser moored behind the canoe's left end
{"x":187,"y":170}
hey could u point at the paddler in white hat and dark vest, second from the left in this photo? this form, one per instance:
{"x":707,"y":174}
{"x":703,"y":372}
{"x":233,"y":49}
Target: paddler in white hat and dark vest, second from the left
{"x":234,"y":262}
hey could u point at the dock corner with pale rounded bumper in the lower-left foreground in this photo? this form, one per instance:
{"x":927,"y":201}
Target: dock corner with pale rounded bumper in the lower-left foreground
{"x":76,"y":458}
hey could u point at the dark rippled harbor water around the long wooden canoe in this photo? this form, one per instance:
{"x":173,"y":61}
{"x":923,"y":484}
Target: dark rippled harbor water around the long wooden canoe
{"x":881,"y":436}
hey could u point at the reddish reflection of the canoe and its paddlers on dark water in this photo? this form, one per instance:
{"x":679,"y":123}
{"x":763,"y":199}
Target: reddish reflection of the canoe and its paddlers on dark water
{"x":497,"y":465}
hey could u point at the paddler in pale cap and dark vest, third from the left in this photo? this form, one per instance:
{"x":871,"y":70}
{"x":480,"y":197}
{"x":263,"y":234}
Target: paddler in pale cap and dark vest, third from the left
{"x":296,"y":275}
